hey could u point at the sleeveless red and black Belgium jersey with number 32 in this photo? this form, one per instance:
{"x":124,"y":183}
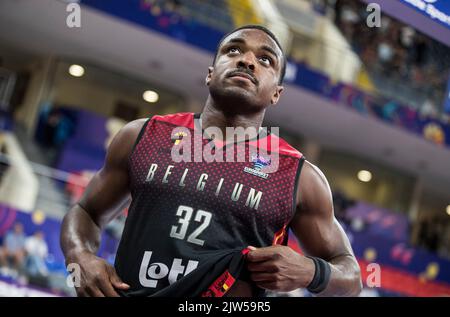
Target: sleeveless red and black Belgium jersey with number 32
{"x":189,"y":222}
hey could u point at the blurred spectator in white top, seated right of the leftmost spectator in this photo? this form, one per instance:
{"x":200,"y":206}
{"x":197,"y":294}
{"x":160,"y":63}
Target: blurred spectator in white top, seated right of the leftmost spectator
{"x":36,"y":252}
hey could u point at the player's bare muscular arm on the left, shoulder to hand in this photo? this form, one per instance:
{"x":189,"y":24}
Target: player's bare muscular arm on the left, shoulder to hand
{"x":106,"y":192}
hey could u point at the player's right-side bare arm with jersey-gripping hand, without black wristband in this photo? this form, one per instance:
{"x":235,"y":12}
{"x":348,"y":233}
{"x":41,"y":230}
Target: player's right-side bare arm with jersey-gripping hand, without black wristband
{"x":280,"y":268}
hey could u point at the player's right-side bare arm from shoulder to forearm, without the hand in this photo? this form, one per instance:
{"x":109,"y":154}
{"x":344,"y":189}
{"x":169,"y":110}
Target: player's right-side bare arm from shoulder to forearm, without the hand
{"x":321,"y":235}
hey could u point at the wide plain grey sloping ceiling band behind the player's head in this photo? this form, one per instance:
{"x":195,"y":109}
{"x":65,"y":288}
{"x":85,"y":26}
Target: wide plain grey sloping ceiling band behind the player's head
{"x":39,"y":27}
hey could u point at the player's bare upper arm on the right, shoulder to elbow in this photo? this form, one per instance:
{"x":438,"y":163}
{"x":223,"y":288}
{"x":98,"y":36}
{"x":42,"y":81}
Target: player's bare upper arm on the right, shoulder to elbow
{"x":314,"y":224}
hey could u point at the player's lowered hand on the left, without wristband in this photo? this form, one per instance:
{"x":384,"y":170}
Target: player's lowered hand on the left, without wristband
{"x":97,"y":277}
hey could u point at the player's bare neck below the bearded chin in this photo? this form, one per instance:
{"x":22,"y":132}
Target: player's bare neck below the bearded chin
{"x":214,"y":116}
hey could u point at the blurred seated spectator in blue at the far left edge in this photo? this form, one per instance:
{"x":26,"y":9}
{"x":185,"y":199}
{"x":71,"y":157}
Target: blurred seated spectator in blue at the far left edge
{"x":12,"y":253}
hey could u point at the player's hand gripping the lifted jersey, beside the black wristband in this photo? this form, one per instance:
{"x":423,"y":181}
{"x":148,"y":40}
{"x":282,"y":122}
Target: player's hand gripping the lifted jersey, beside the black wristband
{"x":279,"y":268}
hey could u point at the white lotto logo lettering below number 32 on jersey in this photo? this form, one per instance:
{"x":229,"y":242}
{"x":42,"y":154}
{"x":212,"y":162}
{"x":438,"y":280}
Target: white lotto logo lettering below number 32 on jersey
{"x":151,"y":273}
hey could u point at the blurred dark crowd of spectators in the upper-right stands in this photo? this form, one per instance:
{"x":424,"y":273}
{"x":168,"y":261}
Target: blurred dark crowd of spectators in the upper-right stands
{"x":394,"y":51}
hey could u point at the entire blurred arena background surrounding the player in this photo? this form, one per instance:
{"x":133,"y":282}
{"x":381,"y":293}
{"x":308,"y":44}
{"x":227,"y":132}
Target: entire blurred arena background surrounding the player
{"x":369,"y":105}
